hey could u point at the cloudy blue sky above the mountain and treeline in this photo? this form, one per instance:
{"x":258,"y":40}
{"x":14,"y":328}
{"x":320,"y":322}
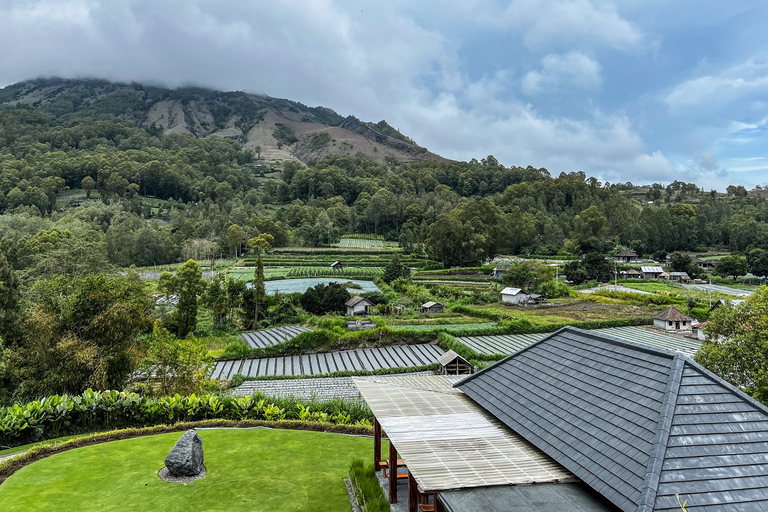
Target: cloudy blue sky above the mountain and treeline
{"x":626,"y":90}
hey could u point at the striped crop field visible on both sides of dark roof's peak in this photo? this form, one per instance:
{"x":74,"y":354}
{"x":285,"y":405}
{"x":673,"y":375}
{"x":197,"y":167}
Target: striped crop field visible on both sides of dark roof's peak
{"x":511,"y":343}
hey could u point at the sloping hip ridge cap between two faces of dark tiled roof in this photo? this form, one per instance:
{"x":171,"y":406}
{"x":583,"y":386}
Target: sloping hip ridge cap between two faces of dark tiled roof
{"x":661,"y":438}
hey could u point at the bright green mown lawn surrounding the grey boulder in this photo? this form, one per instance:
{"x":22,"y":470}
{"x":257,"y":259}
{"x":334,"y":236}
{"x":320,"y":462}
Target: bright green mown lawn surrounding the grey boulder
{"x":254,"y":470}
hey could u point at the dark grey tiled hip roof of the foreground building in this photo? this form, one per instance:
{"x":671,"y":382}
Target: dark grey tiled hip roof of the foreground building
{"x":636,"y":424}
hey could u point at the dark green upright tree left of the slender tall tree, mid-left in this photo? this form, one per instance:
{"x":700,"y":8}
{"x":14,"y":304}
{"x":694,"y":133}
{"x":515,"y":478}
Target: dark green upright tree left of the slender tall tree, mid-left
{"x":188,"y":284}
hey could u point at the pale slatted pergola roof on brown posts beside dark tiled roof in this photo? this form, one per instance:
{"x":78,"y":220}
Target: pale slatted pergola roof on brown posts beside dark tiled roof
{"x":446,"y":441}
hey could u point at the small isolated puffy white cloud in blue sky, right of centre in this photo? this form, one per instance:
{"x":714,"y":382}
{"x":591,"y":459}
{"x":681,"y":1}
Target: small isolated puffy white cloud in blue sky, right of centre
{"x":572,"y":70}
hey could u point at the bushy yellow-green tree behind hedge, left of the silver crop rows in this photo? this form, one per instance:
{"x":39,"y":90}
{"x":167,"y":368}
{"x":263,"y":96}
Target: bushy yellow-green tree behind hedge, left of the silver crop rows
{"x":181,"y":365}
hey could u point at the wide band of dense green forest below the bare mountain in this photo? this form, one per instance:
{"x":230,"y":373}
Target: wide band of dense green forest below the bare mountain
{"x":142,"y":197}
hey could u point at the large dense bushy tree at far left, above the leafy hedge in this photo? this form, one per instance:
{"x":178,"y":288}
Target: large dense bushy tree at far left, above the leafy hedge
{"x":82,"y":333}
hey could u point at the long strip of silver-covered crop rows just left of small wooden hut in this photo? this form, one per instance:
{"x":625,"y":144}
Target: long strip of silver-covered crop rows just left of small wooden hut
{"x":346,"y":360}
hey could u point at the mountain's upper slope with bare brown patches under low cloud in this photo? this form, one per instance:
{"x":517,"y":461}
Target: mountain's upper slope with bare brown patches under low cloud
{"x":274,"y":128}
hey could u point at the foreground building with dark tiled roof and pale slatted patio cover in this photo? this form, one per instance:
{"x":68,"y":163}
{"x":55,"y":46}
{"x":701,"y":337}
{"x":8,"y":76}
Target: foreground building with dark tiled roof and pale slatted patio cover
{"x":612,"y":426}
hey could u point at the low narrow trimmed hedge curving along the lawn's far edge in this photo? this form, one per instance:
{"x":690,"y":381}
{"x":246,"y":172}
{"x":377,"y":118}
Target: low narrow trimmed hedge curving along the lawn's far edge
{"x":10,"y":466}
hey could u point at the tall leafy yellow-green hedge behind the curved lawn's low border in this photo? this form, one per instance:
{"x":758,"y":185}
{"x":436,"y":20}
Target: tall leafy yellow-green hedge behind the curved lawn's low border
{"x":57,"y":416}
